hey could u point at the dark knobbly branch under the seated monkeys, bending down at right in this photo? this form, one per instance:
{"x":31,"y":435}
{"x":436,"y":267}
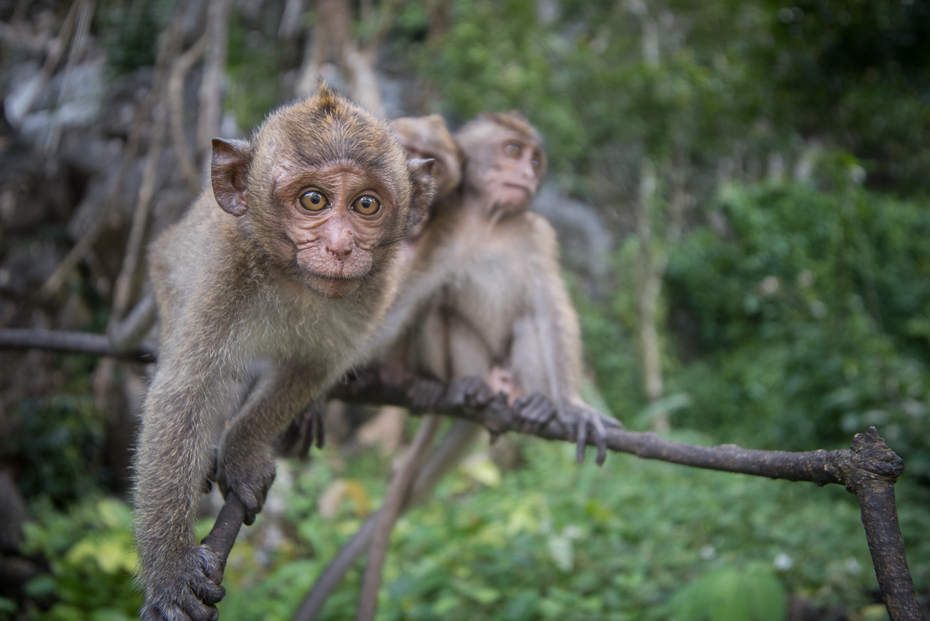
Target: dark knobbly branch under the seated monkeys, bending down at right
{"x":868,"y":469}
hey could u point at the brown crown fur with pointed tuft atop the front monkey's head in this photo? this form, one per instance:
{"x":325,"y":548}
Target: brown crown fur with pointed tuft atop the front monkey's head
{"x":329,"y":128}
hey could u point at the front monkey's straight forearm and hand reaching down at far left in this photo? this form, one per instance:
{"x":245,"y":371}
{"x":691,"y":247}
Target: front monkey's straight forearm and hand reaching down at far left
{"x":183,"y":411}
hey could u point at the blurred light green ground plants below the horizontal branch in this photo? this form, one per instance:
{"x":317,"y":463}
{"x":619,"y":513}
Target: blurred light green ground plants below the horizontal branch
{"x":561,"y":541}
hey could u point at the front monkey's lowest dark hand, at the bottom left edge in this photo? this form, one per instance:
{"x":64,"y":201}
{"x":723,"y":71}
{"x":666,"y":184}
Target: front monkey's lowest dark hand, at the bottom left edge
{"x":188,"y":590}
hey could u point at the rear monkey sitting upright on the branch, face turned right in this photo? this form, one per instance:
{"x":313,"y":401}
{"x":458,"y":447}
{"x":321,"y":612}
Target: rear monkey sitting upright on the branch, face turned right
{"x":484,"y":298}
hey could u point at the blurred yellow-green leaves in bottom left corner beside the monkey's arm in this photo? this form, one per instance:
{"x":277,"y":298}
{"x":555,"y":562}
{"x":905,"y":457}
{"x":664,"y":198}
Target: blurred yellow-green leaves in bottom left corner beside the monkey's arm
{"x":90,"y":549}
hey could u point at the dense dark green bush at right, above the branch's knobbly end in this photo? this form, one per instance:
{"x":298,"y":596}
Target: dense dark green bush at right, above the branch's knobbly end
{"x":808,"y":319}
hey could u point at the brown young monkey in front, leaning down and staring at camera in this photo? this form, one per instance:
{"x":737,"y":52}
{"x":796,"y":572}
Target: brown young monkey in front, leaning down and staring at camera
{"x":291,"y":259}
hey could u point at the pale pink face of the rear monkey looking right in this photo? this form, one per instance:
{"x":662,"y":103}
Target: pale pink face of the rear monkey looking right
{"x":514,"y":178}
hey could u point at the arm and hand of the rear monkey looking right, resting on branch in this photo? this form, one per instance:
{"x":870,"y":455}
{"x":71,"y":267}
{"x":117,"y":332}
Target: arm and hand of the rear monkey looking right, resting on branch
{"x":546,"y":351}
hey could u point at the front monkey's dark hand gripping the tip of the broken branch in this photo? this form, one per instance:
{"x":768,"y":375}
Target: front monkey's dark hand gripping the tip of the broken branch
{"x":246,"y":469}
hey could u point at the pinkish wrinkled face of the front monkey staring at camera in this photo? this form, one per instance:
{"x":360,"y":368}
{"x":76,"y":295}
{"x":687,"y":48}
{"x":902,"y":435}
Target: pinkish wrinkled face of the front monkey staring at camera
{"x":337,"y":216}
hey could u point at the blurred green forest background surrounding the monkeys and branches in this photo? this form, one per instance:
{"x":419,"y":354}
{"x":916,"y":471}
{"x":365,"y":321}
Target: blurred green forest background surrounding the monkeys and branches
{"x":741,"y":192}
